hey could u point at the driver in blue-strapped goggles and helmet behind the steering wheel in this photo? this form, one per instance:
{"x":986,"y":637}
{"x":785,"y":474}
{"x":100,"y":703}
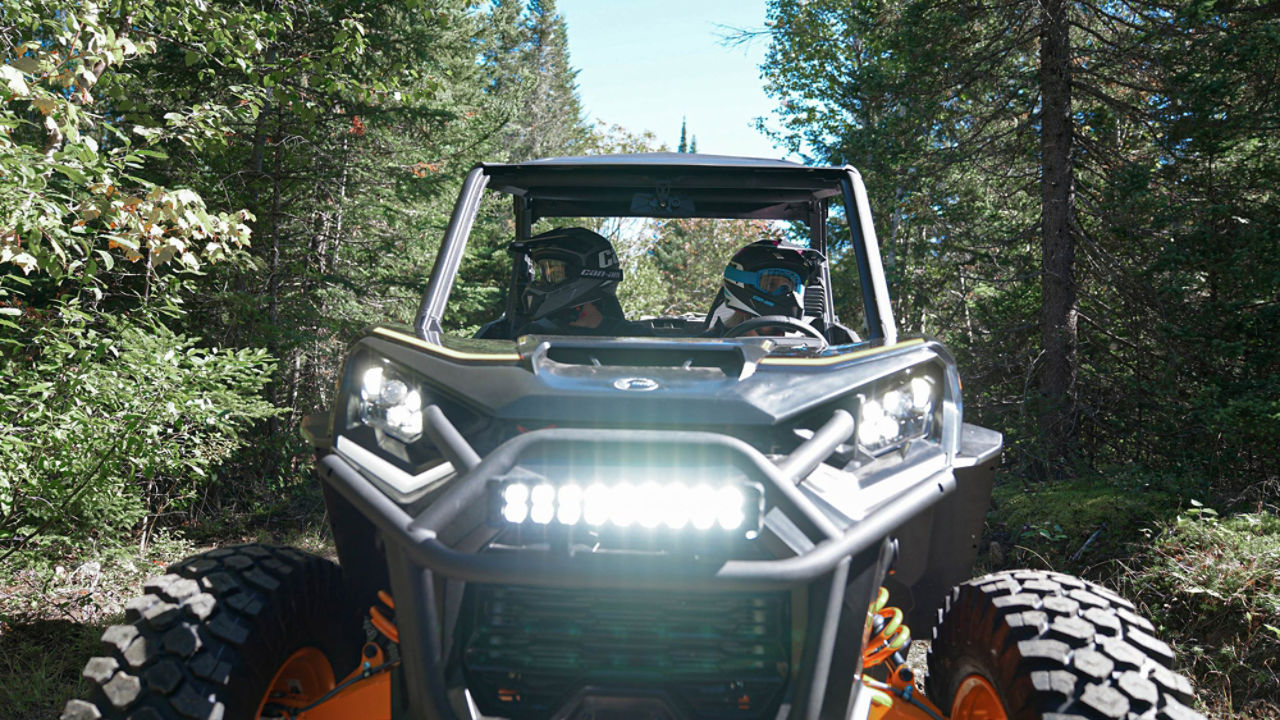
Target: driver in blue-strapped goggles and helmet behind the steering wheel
{"x":765,"y":279}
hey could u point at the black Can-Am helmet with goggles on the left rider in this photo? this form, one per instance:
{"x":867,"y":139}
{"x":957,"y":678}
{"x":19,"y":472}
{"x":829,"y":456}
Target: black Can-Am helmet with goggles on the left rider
{"x":570,"y":268}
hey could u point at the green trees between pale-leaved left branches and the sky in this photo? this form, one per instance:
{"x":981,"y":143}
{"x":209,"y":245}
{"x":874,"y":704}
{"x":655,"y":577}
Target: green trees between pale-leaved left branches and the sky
{"x":351,"y":167}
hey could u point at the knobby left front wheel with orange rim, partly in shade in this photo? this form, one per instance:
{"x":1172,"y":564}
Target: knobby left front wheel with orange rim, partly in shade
{"x":223,"y":634}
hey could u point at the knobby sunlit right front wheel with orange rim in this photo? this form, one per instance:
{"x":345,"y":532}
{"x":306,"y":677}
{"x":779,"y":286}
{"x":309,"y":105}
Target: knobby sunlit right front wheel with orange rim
{"x":1028,"y":645}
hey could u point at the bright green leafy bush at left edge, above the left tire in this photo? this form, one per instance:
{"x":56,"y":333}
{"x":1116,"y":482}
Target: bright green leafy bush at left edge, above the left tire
{"x":109,"y":423}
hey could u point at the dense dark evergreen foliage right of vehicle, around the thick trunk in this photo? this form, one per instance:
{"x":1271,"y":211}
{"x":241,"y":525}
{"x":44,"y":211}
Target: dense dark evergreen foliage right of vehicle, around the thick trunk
{"x":938,"y":103}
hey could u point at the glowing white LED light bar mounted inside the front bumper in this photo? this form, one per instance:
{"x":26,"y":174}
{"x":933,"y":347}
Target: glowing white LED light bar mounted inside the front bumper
{"x":660,"y":507}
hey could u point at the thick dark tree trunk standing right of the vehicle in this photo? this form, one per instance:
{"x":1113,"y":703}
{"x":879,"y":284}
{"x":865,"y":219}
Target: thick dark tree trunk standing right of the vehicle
{"x":1058,"y":281}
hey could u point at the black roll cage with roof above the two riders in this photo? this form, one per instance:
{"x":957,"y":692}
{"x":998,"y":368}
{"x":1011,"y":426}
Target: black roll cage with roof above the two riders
{"x":668,"y":185}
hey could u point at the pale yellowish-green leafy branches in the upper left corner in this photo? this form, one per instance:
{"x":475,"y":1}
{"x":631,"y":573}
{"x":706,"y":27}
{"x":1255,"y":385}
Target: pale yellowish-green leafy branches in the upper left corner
{"x":71,"y":198}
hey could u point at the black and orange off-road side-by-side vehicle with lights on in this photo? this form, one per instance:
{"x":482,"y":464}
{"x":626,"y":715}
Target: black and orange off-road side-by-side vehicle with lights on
{"x":682,"y":525}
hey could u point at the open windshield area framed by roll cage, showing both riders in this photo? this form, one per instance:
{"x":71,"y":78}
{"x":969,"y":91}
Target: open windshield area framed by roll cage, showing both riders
{"x":665,"y":277}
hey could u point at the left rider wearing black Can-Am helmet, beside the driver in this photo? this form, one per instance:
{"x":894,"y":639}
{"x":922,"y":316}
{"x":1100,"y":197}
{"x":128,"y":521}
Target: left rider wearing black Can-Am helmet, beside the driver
{"x":574,"y":285}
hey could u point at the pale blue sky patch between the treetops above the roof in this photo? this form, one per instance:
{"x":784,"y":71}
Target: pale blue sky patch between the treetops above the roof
{"x":643,"y":65}
